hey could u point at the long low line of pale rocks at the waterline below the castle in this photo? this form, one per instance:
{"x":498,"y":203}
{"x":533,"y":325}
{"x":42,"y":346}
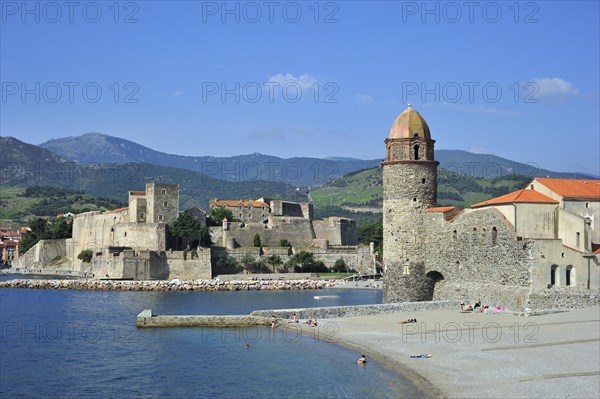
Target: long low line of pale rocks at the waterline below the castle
{"x":172,"y":285}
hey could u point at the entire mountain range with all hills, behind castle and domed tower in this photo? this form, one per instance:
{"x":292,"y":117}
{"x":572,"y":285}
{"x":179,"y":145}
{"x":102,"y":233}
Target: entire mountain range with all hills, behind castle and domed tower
{"x":110,"y":167}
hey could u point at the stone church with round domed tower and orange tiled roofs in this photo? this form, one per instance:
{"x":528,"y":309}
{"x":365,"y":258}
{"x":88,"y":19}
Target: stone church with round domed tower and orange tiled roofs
{"x":537,"y":247}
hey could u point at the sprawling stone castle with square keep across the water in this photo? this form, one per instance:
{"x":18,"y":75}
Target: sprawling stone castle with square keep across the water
{"x":132,"y":242}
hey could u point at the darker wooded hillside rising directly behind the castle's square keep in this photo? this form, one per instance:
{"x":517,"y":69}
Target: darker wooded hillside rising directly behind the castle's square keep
{"x":27,"y":165}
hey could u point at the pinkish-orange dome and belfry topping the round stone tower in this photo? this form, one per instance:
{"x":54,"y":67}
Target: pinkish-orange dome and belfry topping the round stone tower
{"x":410,"y":139}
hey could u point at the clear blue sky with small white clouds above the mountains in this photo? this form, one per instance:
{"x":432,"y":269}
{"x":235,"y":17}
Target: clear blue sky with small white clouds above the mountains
{"x":514,"y":79}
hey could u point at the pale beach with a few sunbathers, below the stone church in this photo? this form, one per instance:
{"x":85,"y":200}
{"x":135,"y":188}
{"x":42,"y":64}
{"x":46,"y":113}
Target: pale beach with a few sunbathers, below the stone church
{"x":476,"y":355}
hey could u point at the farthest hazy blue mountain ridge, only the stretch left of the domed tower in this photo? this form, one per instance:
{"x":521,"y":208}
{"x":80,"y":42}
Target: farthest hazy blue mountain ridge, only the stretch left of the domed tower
{"x":95,"y":148}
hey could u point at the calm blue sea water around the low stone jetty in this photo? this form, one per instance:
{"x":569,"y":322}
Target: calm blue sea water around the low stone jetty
{"x":84,"y":344}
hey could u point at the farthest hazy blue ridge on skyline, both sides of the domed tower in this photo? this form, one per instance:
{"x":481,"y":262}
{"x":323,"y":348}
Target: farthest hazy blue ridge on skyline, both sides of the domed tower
{"x":95,"y":148}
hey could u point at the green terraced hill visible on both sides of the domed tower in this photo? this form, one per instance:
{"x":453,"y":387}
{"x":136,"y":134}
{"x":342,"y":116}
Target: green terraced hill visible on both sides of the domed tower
{"x":363,"y":190}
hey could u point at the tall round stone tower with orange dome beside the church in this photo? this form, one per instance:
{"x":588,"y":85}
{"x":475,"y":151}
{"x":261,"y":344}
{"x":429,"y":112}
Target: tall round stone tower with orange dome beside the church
{"x":409,"y":187}
